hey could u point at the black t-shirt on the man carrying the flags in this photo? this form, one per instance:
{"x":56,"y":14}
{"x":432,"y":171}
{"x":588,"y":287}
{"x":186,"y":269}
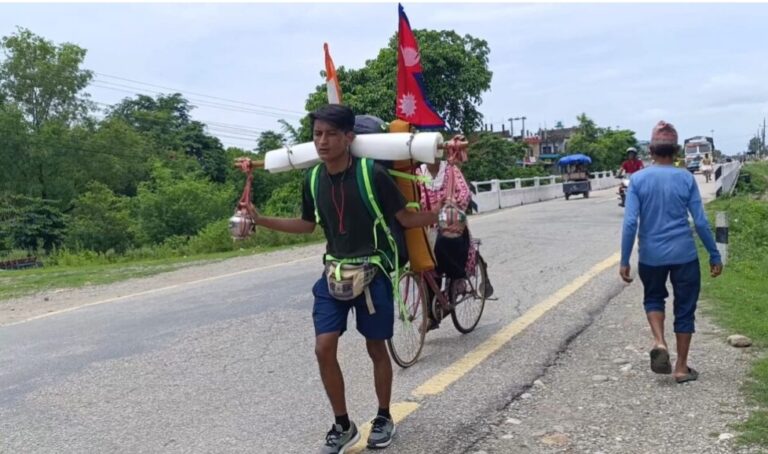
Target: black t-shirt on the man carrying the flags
{"x":339,"y":196}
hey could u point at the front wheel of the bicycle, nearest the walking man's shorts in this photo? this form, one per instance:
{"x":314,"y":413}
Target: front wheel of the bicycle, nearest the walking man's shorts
{"x":409,"y":331}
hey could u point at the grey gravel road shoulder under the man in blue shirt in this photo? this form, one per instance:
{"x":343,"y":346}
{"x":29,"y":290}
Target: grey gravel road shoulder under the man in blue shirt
{"x":601,"y":397}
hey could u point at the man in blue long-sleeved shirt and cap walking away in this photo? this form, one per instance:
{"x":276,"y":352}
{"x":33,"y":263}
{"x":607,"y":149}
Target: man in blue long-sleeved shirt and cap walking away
{"x":660,"y":198}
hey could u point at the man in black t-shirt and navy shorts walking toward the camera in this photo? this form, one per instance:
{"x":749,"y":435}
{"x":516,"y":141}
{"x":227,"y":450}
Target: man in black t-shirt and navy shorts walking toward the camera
{"x":332,"y":199}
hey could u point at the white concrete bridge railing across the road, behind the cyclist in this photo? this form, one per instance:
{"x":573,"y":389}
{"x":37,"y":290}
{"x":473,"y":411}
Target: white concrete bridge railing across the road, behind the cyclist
{"x":495,"y":194}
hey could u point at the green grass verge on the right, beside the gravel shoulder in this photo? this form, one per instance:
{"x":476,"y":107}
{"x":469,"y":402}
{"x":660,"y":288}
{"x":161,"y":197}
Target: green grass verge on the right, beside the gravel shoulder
{"x":738,"y":300}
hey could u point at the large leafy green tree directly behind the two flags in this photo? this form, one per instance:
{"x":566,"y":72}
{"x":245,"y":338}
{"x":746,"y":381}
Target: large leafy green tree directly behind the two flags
{"x":456,"y":75}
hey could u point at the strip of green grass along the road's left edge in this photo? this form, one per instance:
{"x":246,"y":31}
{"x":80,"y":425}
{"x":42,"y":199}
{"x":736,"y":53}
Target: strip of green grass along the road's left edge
{"x":14,"y":284}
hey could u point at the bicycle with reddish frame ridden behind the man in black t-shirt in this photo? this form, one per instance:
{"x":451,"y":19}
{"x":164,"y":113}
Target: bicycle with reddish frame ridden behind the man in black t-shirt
{"x":465,"y":306}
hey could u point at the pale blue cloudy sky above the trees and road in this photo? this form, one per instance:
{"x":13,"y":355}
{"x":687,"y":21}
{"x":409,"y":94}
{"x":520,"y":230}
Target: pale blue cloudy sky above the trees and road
{"x":702,"y":67}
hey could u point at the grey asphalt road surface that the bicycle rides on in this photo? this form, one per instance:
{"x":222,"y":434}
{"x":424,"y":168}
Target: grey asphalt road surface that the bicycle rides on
{"x":227,"y":365}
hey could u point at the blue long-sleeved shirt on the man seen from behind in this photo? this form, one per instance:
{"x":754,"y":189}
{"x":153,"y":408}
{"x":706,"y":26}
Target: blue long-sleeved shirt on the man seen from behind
{"x":660,"y":198}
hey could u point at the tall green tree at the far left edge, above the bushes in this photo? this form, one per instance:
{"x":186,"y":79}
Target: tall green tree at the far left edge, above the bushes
{"x":44,"y":116}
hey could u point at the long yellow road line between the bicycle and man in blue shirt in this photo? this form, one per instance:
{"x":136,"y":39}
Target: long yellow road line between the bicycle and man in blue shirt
{"x":458,"y":369}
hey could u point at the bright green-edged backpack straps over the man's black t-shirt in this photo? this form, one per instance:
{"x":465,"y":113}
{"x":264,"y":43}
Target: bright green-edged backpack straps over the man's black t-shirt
{"x":388,"y":237}
